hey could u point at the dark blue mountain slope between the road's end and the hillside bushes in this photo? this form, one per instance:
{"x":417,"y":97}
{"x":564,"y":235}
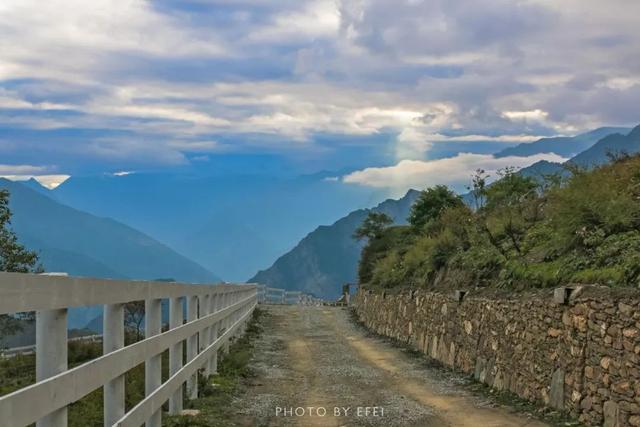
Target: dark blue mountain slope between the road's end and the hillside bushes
{"x":328,"y":256}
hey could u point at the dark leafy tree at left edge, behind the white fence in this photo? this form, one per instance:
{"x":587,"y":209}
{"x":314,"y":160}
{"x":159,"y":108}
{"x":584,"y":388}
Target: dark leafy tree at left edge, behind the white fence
{"x":13,"y":258}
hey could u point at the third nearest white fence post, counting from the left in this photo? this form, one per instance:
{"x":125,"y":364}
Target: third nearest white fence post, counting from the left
{"x":153,"y":365}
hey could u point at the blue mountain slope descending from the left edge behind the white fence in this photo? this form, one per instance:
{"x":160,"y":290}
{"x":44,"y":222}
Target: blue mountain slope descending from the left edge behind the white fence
{"x":81,"y":244}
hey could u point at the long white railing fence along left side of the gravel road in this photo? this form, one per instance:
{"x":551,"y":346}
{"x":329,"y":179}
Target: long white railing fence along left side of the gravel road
{"x":215,"y":313}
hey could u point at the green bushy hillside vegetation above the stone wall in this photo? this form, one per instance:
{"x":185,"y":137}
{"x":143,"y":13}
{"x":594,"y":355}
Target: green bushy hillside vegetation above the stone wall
{"x":582,"y":226}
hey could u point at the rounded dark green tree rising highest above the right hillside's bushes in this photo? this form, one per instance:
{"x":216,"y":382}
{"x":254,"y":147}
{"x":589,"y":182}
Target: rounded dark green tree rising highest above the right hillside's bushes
{"x":430,"y":205}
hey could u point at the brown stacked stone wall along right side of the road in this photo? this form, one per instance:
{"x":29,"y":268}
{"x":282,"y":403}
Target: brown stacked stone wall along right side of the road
{"x":582,"y":356}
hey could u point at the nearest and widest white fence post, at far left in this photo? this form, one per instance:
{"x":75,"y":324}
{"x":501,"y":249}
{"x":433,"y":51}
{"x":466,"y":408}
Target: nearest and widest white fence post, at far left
{"x":51,"y":356}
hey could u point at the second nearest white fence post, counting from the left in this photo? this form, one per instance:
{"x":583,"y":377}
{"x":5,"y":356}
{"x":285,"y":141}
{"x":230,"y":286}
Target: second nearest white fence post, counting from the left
{"x":113,"y":339}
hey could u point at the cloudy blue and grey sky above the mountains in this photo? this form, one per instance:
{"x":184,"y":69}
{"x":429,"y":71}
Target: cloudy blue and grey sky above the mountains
{"x":392,"y":92}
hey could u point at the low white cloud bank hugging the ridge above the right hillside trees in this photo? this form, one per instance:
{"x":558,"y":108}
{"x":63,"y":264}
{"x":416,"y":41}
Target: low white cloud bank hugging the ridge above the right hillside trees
{"x":455,"y":171}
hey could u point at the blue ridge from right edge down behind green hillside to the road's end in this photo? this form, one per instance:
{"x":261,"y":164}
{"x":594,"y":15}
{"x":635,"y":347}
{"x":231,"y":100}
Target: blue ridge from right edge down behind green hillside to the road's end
{"x":328,"y":257}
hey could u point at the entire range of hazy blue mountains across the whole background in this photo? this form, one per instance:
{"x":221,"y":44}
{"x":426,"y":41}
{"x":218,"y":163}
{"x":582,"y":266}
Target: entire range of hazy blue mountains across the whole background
{"x":151,"y":225}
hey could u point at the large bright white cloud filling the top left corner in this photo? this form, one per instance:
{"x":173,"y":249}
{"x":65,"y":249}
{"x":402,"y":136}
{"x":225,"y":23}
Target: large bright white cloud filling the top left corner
{"x":70,"y":36}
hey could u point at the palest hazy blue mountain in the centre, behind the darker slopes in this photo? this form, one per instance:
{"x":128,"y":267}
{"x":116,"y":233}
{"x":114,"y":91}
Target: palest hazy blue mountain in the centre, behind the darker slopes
{"x":233,"y":223}
